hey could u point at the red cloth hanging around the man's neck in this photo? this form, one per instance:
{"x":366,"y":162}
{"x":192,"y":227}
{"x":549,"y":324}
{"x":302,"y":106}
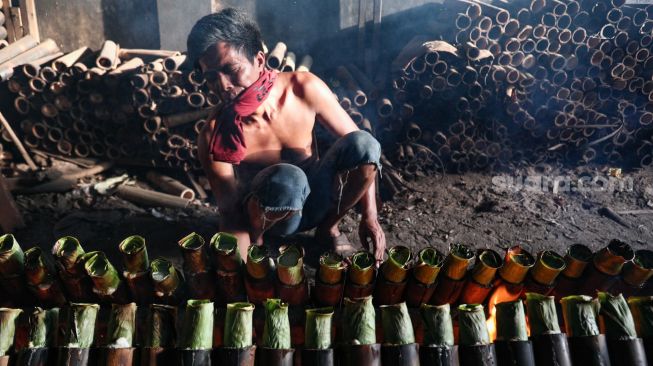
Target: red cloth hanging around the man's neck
{"x":228,"y":142}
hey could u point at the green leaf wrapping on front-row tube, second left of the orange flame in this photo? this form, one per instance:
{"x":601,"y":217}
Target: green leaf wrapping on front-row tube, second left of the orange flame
{"x":438,"y":326}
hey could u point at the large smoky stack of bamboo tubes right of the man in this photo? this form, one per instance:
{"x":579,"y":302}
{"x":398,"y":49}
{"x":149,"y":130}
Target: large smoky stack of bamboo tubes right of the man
{"x":541,"y":81}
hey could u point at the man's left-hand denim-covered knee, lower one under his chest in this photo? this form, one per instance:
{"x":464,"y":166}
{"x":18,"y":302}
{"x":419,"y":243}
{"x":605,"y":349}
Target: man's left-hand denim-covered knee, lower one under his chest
{"x":281,"y":187}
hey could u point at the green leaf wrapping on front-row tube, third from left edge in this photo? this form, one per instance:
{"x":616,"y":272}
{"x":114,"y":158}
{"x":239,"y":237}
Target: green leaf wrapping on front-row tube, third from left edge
{"x":80,"y":325}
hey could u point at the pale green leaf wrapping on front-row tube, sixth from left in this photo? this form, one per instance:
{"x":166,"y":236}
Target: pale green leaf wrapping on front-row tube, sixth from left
{"x":197,"y":331}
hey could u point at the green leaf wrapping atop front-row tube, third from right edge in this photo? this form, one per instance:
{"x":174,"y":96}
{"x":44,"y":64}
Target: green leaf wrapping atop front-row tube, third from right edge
{"x":580,"y":314}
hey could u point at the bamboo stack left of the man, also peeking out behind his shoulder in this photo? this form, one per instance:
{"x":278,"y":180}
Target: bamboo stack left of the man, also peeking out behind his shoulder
{"x":142,"y":107}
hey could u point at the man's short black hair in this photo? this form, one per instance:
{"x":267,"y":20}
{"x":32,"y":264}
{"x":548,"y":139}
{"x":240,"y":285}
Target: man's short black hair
{"x":229,"y":25}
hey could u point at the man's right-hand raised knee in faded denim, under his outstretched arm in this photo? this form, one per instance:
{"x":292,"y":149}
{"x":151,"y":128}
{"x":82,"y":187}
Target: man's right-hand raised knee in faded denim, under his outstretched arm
{"x":360,"y":147}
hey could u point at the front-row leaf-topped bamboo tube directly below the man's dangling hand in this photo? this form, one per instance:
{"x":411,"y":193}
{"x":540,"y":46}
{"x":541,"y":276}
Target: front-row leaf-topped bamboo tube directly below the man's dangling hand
{"x":359,"y":333}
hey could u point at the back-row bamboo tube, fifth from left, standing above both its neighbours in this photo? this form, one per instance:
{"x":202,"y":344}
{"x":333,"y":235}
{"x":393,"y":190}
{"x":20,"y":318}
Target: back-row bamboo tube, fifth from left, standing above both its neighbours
{"x":136,"y":268}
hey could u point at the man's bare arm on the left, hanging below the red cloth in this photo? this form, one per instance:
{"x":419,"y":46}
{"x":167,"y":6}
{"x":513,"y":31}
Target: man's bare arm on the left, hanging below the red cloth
{"x":224,"y":187}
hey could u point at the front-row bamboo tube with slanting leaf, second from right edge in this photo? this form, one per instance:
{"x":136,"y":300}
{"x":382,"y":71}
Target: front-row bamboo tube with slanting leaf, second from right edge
{"x":618,"y":325}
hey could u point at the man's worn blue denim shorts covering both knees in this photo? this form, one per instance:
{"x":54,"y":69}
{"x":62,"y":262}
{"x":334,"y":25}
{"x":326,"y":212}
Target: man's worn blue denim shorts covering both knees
{"x":309,"y":190}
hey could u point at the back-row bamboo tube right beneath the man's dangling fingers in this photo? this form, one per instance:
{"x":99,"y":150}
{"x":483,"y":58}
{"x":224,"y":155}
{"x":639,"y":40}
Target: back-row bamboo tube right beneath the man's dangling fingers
{"x":361,"y":275}
